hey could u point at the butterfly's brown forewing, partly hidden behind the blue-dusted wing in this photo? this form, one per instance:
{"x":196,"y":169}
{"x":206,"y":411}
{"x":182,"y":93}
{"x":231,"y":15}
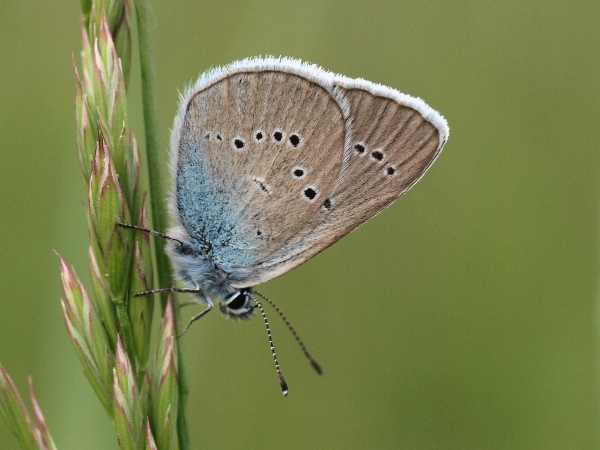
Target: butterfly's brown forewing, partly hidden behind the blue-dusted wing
{"x":395,"y":139}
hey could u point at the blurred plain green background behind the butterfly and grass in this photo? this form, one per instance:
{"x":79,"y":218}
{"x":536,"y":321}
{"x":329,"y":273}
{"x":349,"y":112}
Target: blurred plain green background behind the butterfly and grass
{"x":464,"y":317}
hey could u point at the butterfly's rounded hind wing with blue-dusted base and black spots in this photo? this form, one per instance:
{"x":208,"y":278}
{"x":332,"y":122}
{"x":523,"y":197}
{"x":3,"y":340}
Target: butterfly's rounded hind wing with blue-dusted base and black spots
{"x":254,"y":149}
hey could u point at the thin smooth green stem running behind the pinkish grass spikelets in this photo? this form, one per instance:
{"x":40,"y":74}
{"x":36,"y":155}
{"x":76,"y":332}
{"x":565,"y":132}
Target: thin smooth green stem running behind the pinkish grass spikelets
{"x":157,"y":193}
